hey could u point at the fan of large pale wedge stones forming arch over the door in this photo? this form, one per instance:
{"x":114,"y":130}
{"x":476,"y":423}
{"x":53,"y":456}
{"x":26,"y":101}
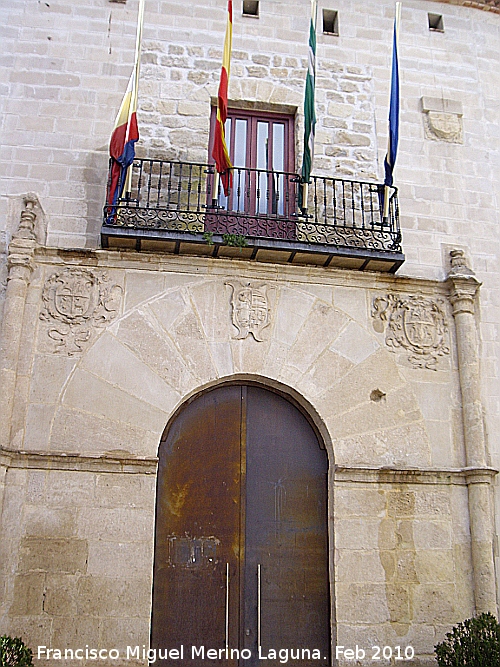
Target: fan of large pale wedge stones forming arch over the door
{"x":166,"y":348}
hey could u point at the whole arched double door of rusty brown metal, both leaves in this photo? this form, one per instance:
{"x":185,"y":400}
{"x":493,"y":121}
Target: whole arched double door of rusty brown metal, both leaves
{"x":241,"y":551}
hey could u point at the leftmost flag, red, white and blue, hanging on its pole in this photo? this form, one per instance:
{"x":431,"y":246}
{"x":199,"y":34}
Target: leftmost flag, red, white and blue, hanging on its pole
{"x":126,"y":132}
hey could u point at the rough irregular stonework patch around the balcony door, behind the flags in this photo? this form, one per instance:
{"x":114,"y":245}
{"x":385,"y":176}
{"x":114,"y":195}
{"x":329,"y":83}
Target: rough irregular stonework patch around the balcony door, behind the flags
{"x":179,"y":83}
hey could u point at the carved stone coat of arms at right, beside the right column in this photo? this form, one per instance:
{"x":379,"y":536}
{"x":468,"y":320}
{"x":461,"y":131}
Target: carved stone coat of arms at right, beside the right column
{"x":413,"y":323}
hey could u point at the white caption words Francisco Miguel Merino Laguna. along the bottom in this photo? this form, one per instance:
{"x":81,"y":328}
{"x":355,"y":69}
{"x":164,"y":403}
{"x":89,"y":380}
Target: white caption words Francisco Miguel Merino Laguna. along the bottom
{"x":197,"y":652}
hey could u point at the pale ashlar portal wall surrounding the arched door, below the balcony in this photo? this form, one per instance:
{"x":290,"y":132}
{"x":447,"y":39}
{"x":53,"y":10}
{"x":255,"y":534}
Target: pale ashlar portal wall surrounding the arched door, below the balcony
{"x":79,"y":501}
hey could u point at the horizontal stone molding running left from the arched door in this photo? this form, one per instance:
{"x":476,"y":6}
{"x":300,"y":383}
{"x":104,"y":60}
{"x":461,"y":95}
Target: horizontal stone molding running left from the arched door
{"x":77,"y":463}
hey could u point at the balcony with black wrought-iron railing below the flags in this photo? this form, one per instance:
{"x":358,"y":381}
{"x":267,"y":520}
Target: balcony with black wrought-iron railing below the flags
{"x":180,"y":208}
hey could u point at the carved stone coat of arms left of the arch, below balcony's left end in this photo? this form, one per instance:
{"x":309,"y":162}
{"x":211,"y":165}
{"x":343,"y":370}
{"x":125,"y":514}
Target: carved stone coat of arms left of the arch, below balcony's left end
{"x":75,"y":301}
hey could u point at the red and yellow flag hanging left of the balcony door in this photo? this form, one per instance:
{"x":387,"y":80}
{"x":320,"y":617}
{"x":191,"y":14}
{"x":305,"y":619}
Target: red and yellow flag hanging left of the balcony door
{"x":220,"y":153}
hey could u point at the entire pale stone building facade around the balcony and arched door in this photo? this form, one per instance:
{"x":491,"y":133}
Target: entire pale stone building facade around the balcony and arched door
{"x":100,"y":348}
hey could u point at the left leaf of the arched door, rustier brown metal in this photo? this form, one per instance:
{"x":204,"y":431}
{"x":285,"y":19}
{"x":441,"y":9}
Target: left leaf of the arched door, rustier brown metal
{"x":198,"y":526}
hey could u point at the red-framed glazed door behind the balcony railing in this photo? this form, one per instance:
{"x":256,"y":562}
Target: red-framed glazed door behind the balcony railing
{"x":261,"y":150}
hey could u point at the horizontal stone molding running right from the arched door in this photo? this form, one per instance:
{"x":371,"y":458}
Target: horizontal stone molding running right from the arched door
{"x":447,"y":476}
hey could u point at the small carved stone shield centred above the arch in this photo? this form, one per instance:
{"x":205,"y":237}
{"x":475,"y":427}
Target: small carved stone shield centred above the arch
{"x":250,"y":309}
